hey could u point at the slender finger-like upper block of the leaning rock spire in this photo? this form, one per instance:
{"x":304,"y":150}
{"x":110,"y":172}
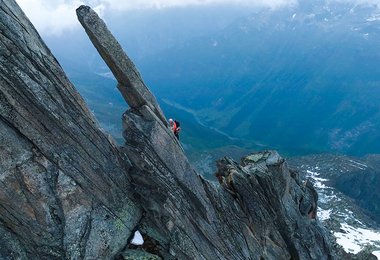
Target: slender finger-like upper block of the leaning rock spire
{"x":130,"y":84}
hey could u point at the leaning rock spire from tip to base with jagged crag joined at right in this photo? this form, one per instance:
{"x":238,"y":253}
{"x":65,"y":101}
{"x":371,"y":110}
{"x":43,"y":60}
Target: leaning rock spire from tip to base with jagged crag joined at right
{"x":260,"y":210}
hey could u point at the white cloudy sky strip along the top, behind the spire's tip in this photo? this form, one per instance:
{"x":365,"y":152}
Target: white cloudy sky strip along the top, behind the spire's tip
{"x":56,"y":16}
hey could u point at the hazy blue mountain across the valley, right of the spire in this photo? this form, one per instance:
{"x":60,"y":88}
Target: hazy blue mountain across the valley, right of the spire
{"x":305,"y":78}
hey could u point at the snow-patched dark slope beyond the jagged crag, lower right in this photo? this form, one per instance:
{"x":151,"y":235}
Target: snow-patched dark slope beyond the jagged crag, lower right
{"x":349,"y":194}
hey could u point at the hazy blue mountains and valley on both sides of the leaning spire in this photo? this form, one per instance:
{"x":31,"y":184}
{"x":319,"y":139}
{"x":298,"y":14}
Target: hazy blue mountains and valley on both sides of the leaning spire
{"x":302,"y":79}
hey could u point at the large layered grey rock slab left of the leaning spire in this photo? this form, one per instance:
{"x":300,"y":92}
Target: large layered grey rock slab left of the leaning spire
{"x":64,"y":187}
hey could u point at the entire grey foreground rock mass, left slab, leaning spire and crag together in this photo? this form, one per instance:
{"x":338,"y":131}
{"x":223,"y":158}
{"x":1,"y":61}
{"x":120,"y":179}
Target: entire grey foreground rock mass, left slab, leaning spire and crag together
{"x":68,"y":192}
